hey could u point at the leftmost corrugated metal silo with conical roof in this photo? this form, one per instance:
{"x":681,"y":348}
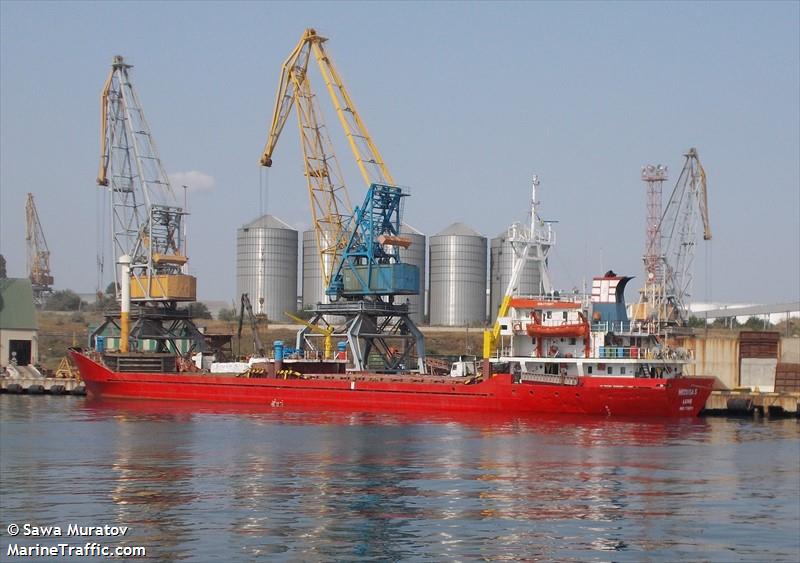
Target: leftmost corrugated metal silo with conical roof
{"x":266,"y":266}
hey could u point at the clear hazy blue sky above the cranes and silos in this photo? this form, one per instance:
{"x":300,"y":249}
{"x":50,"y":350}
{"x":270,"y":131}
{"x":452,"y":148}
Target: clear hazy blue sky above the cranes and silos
{"x":465,"y":101}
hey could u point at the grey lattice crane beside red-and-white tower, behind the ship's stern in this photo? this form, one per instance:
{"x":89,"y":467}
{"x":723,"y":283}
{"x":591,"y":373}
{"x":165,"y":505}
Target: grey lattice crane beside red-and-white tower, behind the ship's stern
{"x":665,"y":296}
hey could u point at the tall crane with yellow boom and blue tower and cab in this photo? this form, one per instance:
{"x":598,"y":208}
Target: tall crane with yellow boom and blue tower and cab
{"x":358,"y":249}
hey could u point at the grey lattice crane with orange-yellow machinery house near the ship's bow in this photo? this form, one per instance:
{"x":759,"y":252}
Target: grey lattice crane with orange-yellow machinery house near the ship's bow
{"x":146,"y":221}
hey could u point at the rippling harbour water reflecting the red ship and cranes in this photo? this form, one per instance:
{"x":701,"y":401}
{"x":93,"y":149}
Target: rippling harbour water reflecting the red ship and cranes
{"x":221,"y":482}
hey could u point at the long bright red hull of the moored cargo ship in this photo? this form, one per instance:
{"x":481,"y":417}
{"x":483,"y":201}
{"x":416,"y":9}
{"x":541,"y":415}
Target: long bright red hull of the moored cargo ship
{"x":628,"y":397}
